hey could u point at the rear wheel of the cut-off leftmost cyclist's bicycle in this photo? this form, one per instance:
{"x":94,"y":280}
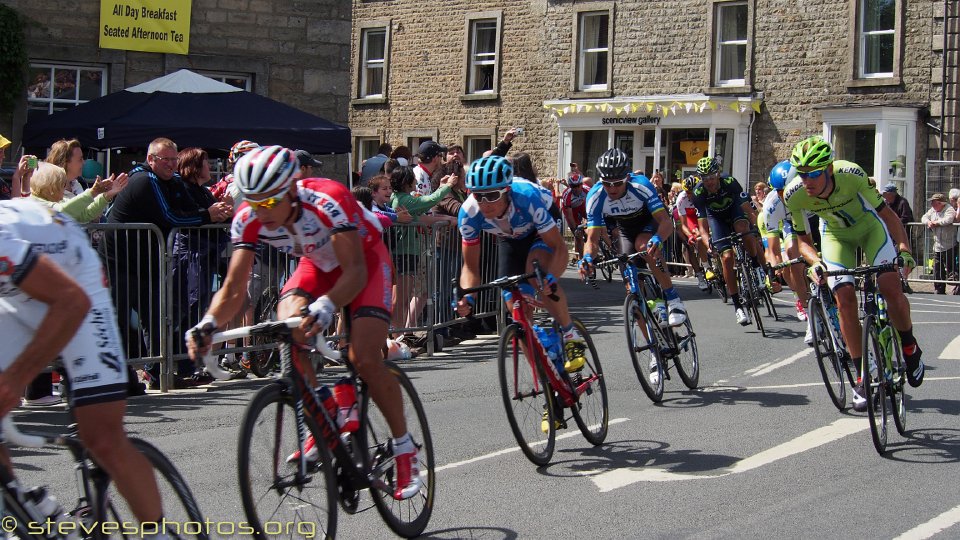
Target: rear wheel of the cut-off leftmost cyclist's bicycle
{"x":181,"y":514}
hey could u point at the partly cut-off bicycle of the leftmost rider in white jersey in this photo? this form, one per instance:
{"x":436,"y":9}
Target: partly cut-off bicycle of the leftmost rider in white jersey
{"x":100,"y":511}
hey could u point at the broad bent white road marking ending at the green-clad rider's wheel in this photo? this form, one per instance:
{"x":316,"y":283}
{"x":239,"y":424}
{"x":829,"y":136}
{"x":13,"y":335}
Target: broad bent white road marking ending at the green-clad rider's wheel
{"x":610,"y":480}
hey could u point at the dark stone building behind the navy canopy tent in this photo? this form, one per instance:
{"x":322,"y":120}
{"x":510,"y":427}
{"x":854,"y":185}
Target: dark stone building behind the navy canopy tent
{"x":293,"y":51}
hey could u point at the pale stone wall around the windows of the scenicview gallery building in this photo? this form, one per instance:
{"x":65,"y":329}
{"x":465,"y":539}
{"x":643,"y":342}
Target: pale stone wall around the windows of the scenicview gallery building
{"x":801,"y":61}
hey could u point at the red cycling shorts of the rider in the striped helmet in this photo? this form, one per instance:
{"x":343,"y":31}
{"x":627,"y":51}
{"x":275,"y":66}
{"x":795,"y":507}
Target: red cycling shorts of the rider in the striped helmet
{"x":374,"y":300}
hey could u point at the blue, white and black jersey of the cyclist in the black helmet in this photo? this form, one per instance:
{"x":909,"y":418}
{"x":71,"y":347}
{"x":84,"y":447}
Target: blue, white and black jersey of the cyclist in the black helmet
{"x":635,"y":207}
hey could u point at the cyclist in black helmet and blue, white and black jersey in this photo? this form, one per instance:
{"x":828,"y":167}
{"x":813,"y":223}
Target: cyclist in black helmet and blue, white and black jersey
{"x":632,"y":206}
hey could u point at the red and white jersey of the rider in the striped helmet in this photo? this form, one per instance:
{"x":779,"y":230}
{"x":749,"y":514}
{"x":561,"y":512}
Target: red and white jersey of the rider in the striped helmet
{"x":326,"y":208}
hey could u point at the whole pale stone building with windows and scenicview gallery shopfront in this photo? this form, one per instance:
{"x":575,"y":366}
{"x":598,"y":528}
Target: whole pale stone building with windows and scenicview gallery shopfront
{"x":668,"y":81}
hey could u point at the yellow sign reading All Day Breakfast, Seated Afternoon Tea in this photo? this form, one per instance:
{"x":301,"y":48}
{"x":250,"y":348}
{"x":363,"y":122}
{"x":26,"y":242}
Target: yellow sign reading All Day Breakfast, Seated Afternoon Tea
{"x":145,"y":25}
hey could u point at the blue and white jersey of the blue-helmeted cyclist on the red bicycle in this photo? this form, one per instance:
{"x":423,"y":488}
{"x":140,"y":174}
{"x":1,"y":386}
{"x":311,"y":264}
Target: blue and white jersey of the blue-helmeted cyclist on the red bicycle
{"x":527,"y":213}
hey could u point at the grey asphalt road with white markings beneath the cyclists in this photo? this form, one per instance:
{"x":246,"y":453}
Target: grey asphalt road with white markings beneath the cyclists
{"x":758,"y":451}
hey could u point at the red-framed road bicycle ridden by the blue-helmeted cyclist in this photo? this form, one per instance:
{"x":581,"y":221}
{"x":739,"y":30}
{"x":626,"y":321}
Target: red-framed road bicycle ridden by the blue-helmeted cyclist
{"x":537,"y":389}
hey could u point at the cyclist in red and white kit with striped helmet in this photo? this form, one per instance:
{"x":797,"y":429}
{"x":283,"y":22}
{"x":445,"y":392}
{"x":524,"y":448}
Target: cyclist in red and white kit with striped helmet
{"x":343,"y":264}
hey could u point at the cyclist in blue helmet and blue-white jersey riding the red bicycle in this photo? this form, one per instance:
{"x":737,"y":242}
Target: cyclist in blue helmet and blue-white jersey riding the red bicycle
{"x":519,"y":214}
